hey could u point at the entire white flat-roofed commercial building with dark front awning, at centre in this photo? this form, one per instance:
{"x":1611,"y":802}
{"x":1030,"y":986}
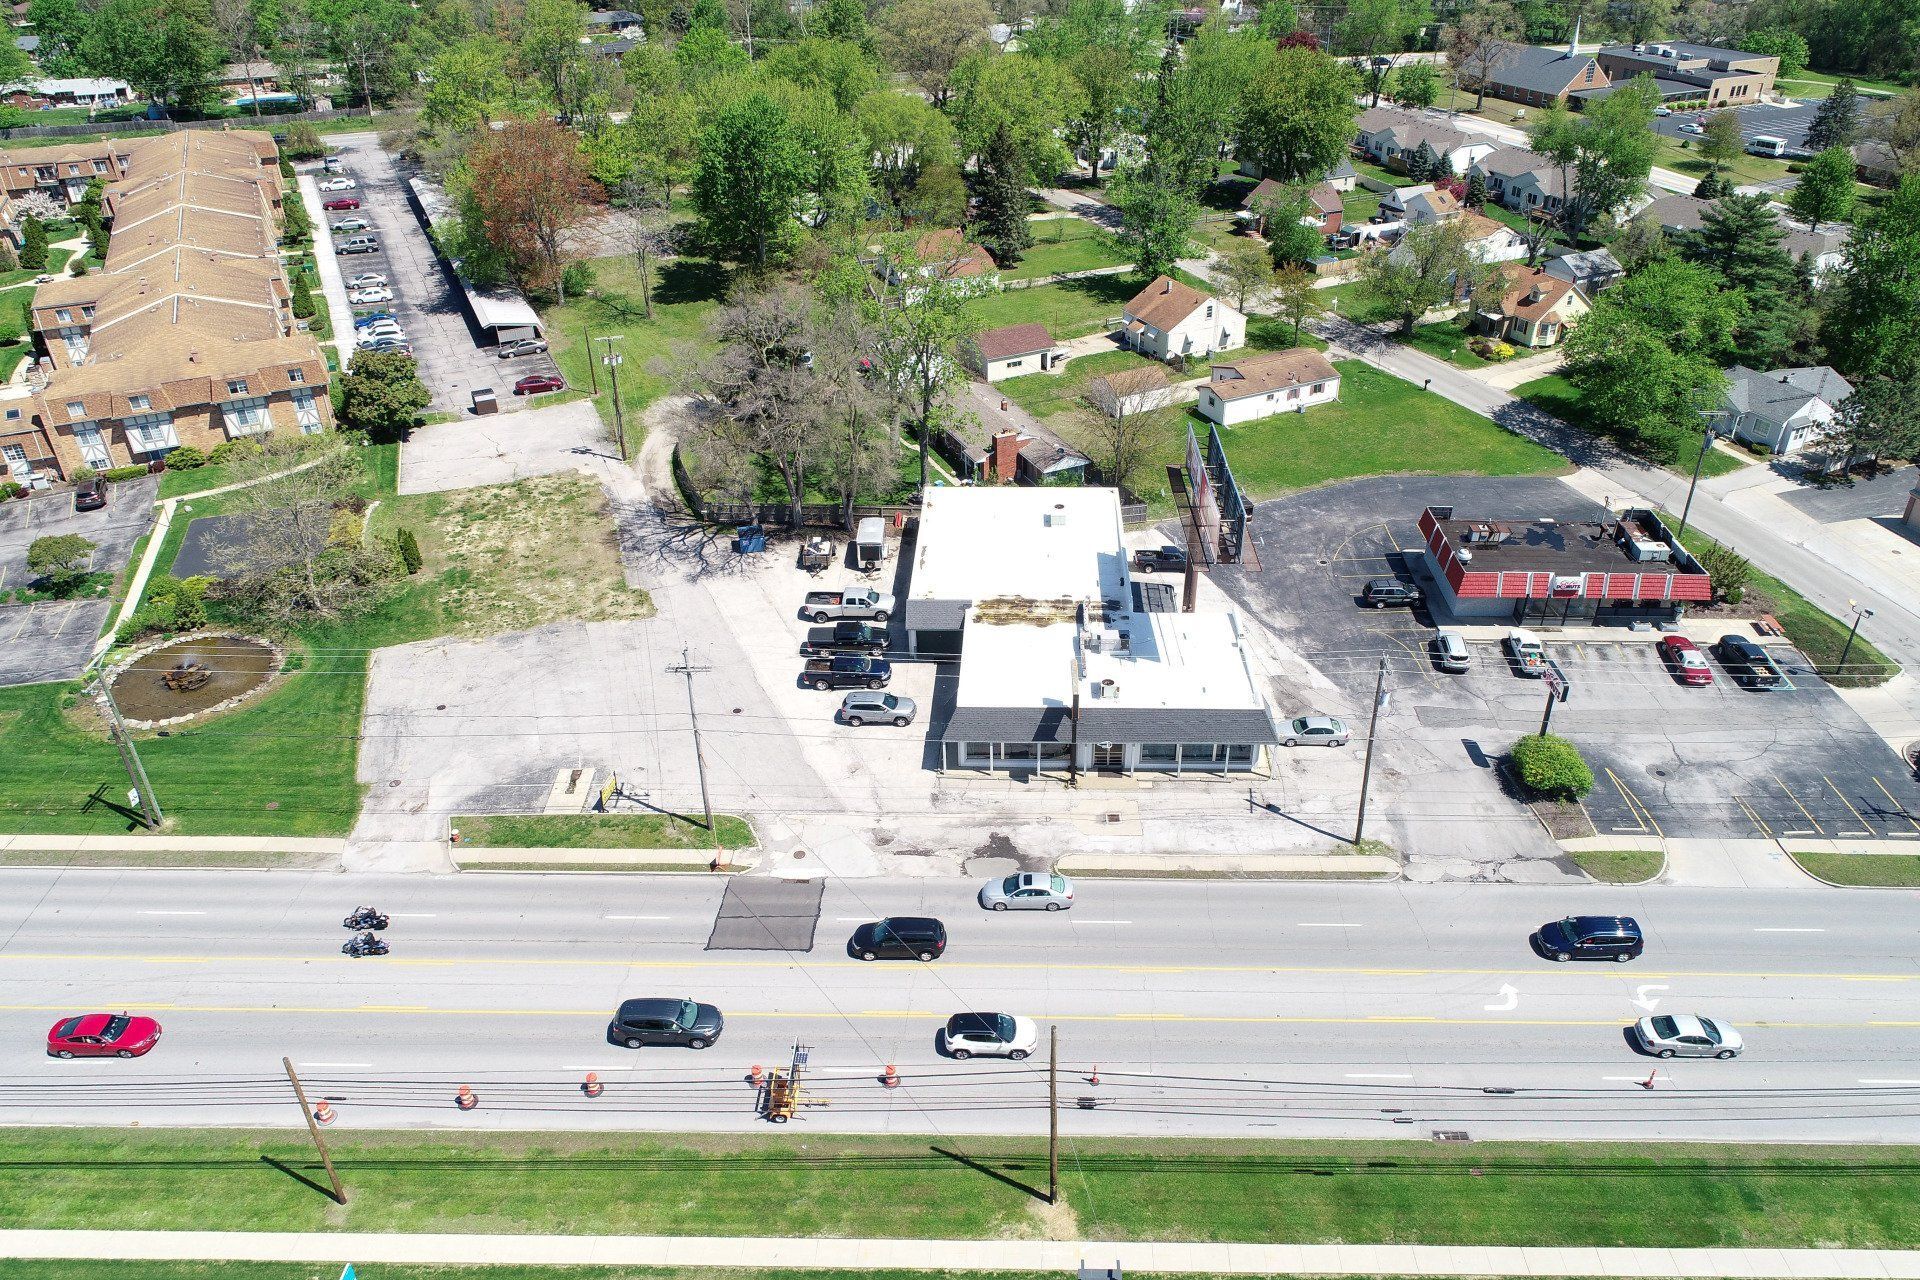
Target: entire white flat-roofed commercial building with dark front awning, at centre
{"x":1067,"y":661}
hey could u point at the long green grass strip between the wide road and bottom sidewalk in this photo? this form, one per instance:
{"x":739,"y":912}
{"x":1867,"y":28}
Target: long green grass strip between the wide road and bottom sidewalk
{"x":971,"y":1189}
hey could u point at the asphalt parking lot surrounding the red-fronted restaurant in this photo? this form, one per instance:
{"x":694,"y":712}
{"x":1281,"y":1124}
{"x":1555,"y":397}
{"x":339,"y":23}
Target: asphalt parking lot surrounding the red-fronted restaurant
{"x":1669,"y":761}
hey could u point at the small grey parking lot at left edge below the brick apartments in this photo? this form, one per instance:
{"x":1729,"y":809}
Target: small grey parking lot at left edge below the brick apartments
{"x":55,"y":640}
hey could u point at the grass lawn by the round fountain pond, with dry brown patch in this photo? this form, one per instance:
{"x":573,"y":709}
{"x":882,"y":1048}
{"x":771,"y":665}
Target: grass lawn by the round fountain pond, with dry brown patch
{"x":285,"y":765}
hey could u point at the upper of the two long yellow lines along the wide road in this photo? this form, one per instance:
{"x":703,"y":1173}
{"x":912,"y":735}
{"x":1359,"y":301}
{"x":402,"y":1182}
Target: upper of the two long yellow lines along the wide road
{"x":709,"y":964}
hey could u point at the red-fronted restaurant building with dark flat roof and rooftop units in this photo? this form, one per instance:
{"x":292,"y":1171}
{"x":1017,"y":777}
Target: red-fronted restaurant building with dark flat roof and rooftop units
{"x":1554,"y":573}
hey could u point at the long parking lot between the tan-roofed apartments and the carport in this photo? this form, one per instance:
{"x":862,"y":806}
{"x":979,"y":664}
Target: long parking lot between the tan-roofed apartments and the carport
{"x":454,"y":354}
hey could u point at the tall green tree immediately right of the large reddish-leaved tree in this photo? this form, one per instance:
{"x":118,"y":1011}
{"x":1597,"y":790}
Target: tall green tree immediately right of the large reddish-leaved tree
{"x":750,"y":179}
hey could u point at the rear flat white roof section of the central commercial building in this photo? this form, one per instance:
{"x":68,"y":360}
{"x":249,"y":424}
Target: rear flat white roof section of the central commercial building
{"x":1020,"y":544}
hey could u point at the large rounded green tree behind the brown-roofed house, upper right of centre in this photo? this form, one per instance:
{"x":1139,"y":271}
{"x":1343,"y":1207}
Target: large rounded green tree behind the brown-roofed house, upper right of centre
{"x":1299,"y":116}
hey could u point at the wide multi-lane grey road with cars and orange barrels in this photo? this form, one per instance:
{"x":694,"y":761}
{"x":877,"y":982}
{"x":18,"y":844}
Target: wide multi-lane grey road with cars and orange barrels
{"x":1205,"y":1007}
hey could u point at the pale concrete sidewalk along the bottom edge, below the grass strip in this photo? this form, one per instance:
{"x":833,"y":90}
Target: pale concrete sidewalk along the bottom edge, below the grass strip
{"x":1032,"y":1256}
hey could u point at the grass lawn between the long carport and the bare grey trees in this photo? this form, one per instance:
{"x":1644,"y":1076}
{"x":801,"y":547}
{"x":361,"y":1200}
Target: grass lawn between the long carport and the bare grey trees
{"x":684,"y":300}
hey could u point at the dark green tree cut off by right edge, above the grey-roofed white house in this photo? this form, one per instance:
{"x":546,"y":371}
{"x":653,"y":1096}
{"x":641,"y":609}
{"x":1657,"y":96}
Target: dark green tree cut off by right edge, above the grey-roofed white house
{"x":1873,"y":325}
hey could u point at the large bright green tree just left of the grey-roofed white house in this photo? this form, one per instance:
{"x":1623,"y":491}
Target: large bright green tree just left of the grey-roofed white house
{"x":1648,"y":358}
